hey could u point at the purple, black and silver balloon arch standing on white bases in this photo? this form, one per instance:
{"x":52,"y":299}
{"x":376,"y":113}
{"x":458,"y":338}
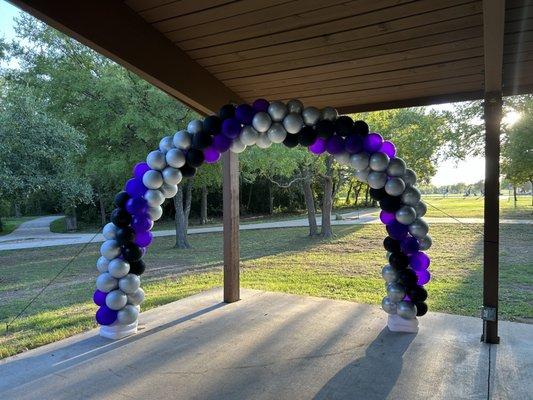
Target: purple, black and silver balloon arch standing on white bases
{"x":128,"y":235}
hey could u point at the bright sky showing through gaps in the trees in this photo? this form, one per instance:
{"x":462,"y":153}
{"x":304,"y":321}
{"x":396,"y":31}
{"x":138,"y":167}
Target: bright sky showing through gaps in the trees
{"x":449,"y":172}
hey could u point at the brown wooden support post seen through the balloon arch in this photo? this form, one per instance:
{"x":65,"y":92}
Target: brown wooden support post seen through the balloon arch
{"x":231,"y":227}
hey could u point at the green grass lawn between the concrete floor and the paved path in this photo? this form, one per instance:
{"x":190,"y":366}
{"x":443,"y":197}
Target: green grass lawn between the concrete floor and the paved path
{"x":345,"y":267}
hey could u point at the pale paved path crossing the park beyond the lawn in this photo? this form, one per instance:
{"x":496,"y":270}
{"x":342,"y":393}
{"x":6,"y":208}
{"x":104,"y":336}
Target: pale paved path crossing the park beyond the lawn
{"x":36,"y":235}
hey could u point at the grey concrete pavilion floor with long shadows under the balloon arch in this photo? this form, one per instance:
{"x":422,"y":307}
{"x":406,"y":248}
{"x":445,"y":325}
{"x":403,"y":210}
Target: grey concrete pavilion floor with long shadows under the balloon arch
{"x":277,"y":346}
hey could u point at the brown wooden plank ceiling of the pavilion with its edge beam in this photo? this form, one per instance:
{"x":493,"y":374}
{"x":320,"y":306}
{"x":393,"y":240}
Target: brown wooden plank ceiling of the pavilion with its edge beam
{"x":353,"y":55}
